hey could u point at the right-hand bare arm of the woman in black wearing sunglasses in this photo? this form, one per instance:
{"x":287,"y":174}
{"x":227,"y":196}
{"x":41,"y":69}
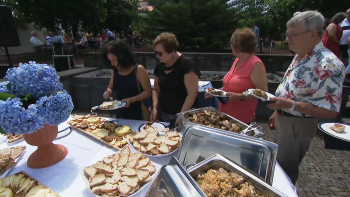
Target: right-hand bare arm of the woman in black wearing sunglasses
{"x":191,"y":83}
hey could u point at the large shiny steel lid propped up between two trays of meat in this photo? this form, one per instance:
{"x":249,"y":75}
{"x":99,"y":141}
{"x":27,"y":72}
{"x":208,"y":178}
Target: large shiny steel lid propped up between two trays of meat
{"x":255,"y":155}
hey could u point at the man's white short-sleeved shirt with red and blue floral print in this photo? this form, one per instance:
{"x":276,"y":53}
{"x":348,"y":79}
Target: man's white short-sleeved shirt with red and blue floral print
{"x":317,"y":78}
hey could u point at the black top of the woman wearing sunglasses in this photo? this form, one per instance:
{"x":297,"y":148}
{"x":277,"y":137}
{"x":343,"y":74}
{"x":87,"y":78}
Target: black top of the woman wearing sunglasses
{"x":173,"y":91}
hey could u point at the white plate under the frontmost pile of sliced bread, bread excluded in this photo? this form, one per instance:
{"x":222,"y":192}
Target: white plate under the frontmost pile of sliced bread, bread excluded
{"x":104,"y":153}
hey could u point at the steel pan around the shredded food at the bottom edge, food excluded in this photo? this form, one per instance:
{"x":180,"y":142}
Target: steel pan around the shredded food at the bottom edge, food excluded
{"x":217,"y":161}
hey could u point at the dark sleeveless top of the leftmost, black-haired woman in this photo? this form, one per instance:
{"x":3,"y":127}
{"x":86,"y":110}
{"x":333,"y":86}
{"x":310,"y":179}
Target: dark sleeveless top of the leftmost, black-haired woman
{"x":126,"y":87}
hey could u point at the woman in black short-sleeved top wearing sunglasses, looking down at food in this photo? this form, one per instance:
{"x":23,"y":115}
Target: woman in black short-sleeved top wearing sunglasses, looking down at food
{"x":175,"y":82}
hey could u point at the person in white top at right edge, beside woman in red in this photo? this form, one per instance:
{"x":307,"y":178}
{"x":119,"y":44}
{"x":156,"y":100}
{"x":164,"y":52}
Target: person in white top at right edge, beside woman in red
{"x":343,"y":46}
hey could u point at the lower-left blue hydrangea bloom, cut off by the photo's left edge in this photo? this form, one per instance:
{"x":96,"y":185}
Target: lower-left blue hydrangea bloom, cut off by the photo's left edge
{"x":15,"y":119}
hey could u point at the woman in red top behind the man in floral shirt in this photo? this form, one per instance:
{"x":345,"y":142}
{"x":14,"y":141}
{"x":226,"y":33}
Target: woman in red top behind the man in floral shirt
{"x":333,"y":33}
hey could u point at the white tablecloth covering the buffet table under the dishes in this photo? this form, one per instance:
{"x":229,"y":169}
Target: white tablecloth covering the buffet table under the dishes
{"x":65,"y":179}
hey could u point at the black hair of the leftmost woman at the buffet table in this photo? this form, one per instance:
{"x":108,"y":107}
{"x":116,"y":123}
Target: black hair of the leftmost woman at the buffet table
{"x":122,"y":51}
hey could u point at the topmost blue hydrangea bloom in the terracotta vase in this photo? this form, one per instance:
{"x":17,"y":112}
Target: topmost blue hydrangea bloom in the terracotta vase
{"x":38,"y":79}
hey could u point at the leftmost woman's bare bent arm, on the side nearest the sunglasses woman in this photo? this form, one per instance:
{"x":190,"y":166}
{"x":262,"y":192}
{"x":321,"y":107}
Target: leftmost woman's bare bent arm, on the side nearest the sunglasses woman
{"x":143,"y":77}
